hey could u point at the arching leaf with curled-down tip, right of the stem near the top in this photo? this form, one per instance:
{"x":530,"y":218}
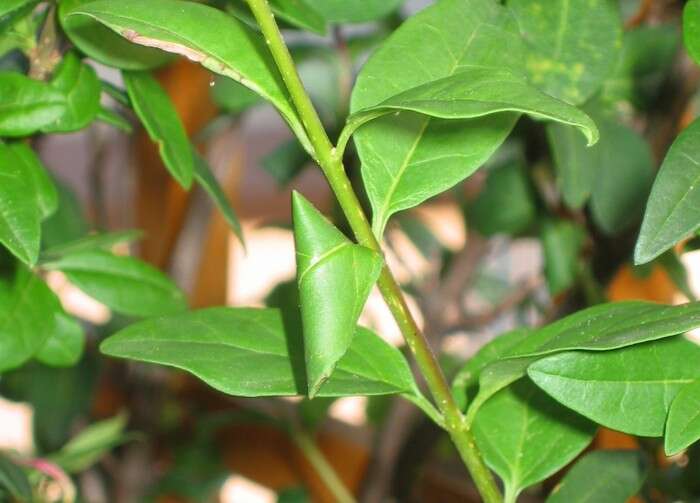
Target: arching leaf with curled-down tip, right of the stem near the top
{"x":477,"y":91}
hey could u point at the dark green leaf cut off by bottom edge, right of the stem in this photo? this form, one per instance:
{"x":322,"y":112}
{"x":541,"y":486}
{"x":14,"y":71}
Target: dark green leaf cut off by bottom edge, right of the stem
{"x":602,"y":477}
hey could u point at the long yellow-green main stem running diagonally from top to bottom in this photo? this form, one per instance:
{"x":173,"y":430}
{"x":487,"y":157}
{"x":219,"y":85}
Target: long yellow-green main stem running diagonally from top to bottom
{"x":330,"y":161}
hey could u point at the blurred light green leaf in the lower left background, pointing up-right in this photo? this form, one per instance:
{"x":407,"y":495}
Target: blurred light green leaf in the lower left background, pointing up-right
{"x":91,"y":444}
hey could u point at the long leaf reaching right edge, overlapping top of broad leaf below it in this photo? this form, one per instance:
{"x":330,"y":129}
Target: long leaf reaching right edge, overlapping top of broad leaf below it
{"x":610,"y":326}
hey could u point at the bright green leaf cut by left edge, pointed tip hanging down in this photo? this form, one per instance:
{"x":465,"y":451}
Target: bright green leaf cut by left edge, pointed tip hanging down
{"x":20,"y":210}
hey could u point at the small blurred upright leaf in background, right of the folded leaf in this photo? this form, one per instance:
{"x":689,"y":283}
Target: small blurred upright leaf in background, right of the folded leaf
{"x":561,"y":243}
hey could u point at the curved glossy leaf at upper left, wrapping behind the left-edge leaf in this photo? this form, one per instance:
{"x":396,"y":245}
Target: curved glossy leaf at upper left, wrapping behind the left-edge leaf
{"x":79,"y":84}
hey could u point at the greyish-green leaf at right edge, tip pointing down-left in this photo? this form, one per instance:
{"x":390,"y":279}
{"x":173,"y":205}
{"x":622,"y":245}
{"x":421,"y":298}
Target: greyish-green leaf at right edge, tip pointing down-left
{"x":673,"y":209}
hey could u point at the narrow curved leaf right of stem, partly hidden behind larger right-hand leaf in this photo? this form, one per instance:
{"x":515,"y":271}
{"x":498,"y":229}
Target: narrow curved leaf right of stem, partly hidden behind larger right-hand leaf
{"x":465,"y":381}
